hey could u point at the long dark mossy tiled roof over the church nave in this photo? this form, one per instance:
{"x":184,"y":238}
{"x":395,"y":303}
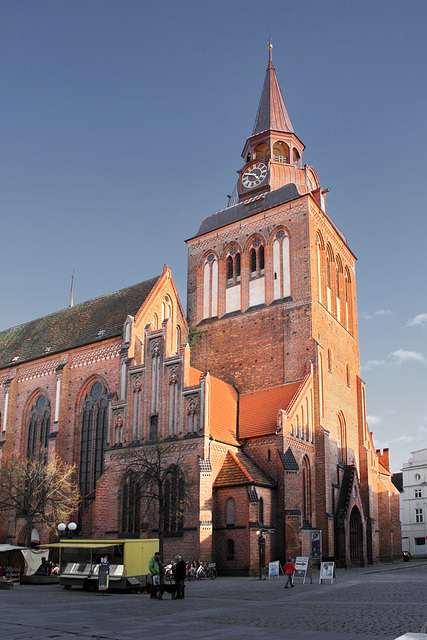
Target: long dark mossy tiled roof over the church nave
{"x":83,"y":324}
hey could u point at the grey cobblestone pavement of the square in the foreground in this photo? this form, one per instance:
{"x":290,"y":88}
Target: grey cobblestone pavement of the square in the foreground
{"x":364,"y":604}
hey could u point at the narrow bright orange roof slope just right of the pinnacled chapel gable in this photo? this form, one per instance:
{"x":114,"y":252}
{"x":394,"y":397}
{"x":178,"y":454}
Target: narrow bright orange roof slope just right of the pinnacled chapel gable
{"x":223,"y":411}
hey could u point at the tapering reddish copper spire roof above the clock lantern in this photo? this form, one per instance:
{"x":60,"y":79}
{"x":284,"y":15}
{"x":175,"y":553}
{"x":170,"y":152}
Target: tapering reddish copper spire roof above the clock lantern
{"x":272,"y":113}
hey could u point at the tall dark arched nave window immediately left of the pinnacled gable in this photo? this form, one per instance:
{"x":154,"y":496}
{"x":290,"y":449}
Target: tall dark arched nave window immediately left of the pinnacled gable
{"x":94,"y":424}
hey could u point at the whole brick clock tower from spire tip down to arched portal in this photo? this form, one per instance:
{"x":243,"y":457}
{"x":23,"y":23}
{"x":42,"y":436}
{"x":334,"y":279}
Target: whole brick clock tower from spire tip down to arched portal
{"x":272,"y":304}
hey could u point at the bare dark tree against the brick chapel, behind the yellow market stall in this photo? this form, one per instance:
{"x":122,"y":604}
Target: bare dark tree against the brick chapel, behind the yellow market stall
{"x":164,"y":485}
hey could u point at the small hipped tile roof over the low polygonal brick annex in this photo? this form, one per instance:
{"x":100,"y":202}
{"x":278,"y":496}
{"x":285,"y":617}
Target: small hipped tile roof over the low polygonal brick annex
{"x":239,"y":470}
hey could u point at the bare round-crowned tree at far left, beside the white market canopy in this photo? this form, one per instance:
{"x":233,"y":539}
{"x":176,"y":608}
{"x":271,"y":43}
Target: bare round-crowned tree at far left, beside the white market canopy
{"x":38,"y":491}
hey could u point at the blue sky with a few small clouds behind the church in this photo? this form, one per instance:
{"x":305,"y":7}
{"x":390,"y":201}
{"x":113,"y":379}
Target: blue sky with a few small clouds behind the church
{"x":122,"y":126}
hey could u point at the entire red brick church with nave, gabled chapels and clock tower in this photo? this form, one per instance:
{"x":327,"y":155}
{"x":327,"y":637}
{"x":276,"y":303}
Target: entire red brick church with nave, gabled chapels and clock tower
{"x":255,"y":395}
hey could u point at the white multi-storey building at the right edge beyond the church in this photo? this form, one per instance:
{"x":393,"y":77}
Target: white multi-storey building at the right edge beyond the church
{"x":414,"y":495}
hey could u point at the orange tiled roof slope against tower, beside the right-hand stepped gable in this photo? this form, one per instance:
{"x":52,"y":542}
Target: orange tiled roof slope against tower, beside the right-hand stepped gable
{"x":258,"y":409}
